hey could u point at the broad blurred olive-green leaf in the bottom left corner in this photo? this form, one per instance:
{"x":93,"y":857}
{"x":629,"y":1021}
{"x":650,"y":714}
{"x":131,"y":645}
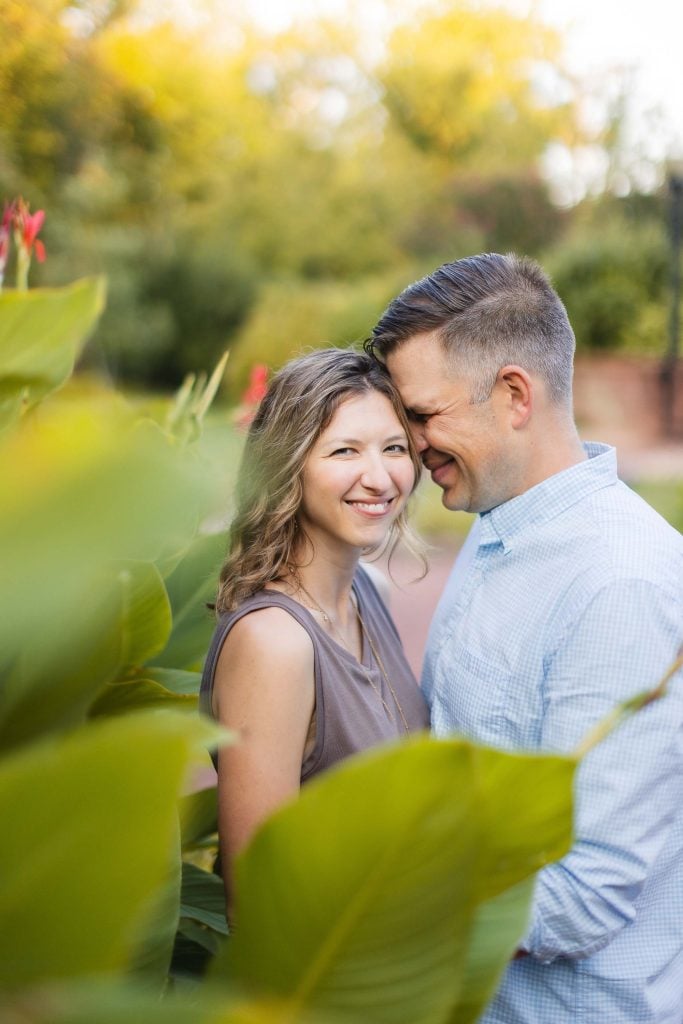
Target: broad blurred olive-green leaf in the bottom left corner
{"x":93,"y":820}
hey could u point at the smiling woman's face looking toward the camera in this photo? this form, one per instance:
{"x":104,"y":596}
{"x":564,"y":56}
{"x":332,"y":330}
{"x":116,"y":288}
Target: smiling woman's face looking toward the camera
{"x":358,"y":477}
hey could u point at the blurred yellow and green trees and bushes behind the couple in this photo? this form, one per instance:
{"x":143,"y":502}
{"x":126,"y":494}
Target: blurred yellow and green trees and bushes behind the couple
{"x":267,"y":191}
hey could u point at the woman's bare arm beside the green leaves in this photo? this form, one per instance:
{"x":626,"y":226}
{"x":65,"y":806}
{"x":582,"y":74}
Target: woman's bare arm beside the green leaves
{"x":265,"y":691}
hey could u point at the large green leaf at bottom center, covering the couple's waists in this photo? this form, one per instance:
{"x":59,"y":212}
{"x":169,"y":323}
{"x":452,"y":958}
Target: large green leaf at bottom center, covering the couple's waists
{"x":362,"y":899}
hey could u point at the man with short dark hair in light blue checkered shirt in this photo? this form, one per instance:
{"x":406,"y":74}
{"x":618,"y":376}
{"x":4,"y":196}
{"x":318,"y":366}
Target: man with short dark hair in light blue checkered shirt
{"x":567,"y":600}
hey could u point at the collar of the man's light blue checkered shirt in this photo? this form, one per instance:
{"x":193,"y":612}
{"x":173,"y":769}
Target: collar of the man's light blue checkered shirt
{"x":550,"y":498}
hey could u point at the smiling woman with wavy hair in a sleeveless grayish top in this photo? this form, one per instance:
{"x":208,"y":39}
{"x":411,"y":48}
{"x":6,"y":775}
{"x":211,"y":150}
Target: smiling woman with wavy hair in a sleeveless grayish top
{"x":306,"y":664}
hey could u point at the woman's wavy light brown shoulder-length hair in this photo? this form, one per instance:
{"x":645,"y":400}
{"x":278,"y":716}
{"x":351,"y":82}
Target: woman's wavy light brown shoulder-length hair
{"x":301,"y":403}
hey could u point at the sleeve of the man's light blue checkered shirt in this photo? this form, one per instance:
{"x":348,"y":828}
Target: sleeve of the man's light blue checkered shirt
{"x":629,"y":787}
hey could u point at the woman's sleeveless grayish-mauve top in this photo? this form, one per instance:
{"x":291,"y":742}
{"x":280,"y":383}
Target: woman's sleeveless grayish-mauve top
{"x":350,"y":715}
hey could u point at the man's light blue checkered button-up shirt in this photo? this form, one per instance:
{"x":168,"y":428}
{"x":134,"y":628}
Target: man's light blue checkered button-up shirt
{"x":564,"y":603}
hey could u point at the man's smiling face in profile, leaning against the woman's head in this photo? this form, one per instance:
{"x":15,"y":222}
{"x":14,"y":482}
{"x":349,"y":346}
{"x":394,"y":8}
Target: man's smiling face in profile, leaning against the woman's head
{"x":467,"y":448}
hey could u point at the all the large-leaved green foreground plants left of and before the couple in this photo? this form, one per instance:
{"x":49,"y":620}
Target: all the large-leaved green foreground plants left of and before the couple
{"x":397,"y":887}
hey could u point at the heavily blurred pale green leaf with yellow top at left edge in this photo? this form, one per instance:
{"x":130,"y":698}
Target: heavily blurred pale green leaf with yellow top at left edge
{"x":84,"y":489}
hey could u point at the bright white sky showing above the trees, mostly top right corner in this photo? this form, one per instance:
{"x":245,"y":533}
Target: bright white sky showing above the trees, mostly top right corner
{"x":644,"y":39}
